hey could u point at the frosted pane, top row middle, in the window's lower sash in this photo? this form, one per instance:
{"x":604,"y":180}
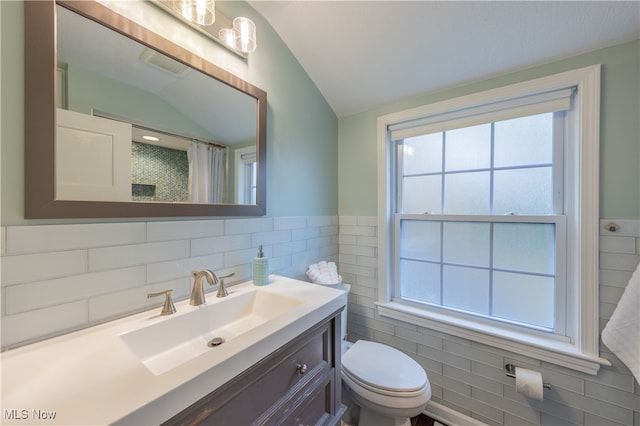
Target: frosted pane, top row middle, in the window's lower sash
{"x":466,"y":243}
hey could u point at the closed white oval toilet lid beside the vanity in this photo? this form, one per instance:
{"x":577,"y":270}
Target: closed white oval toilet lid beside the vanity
{"x":383,"y":367}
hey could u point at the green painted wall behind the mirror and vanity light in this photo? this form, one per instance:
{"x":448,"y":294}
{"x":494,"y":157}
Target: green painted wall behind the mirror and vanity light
{"x":302,"y":130}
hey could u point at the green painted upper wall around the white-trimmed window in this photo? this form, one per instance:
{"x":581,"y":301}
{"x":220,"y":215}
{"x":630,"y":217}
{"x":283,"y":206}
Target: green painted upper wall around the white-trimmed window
{"x":619,"y":133}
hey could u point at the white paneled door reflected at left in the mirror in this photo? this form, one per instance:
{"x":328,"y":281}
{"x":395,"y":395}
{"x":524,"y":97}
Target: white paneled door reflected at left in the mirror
{"x":93,"y":158}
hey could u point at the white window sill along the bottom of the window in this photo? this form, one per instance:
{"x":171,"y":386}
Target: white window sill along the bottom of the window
{"x":560,"y":353}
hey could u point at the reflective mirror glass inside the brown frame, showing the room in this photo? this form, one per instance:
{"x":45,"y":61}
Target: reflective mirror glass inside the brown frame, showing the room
{"x":136,"y":125}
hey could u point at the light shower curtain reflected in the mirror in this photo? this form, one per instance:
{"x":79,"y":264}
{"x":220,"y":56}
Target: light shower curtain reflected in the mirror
{"x":207,"y":172}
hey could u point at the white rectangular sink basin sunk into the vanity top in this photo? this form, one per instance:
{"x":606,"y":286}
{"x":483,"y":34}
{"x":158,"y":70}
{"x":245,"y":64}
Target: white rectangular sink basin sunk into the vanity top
{"x":176,"y":339}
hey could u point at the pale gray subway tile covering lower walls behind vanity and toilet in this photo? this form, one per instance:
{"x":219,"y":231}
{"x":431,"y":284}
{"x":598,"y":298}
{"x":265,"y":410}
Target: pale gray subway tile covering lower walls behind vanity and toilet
{"x":60,"y":278}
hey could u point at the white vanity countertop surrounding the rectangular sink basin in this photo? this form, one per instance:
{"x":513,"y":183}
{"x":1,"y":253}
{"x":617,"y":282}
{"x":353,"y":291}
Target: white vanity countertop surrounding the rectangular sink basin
{"x":90,"y":377}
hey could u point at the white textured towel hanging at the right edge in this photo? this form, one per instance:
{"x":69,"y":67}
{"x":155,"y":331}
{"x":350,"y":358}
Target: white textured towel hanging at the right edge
{"x":622,"y":332}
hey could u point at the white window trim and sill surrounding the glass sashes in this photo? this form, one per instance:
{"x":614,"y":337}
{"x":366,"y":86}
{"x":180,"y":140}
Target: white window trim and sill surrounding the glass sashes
{"x":582,"y":203}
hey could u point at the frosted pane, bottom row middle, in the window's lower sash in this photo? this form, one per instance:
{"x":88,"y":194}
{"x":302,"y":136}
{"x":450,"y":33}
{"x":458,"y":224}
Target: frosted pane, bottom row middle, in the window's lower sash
{"x":467,"y":289}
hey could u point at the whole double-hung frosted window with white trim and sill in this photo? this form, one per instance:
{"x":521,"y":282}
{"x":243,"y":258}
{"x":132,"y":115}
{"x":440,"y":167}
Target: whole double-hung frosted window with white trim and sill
{"x":489,"y":217}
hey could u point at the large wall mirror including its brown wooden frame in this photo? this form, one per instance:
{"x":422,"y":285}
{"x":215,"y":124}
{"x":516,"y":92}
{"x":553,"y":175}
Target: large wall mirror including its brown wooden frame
{"x":221,"y":113}
